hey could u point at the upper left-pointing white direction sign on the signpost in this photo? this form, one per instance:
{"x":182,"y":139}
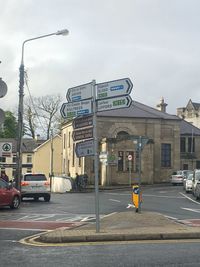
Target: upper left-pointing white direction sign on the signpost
{"x":79,"y":92}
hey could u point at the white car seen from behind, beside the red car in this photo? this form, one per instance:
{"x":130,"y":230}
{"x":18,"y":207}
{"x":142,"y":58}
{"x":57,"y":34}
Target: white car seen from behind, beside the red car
{"x":35,"y":185}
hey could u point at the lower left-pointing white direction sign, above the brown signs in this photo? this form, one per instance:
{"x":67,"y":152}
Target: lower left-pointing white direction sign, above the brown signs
{"x":74,"y":109}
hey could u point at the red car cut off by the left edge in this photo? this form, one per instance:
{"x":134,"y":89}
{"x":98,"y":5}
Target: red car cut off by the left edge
{"x":9,"y":196}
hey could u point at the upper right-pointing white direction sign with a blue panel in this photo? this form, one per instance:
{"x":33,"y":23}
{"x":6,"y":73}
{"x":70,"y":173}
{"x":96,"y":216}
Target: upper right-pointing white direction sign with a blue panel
{"x":114,"y":88}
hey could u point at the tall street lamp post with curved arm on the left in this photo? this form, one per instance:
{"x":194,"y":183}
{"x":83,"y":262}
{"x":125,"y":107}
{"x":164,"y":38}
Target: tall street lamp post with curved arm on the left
{"x":21,"y":107}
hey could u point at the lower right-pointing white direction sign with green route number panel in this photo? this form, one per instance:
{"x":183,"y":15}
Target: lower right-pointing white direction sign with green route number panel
{"x":114,"y":103}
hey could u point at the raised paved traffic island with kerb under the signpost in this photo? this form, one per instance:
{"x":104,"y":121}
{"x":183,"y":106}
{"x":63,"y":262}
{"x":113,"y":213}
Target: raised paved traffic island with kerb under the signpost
{"x":123,"y":226}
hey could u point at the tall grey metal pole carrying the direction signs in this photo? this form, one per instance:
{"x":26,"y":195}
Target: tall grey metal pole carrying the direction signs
{"x":96,"y":160}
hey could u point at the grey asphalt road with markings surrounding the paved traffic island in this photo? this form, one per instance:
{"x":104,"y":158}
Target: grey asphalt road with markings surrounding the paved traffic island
{"x":71,"y":209}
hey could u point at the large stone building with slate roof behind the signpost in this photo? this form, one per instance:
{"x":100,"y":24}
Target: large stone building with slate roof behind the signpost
{"x":118,"y":132}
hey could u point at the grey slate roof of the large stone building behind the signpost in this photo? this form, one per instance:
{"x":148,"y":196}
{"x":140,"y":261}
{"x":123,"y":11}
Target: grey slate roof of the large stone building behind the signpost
{"x":138,"y":110}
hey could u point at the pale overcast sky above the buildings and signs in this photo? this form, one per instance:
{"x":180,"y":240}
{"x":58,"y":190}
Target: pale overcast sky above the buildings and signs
{"x":155,"y":43}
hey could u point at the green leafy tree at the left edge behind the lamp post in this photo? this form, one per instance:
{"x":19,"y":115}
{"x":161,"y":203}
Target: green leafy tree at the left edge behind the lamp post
{"x":9,"y":127}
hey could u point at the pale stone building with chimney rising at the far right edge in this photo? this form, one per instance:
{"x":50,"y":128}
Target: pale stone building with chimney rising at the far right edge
{"x":190,"y":113}
